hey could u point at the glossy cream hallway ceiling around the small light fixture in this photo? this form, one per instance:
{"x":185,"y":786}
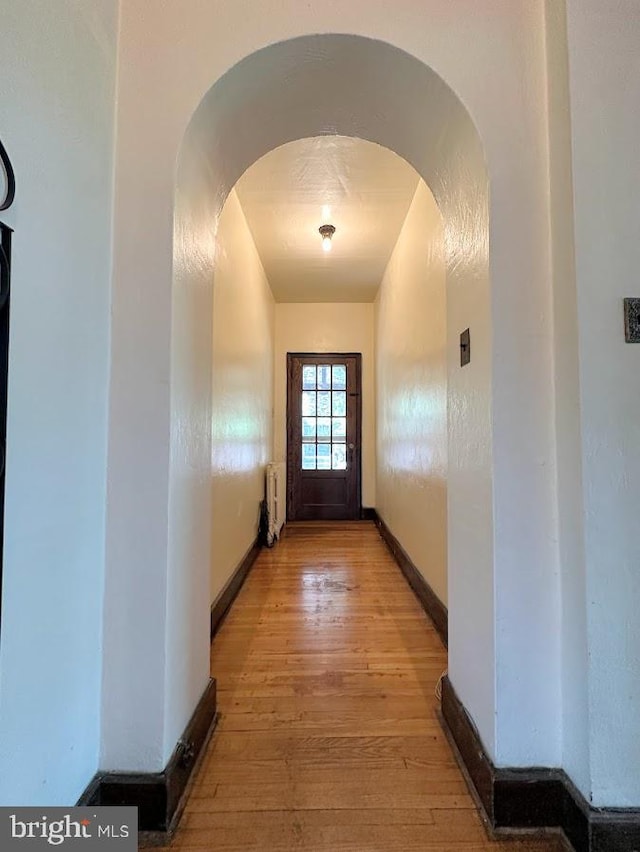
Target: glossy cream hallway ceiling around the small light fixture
{"x":361,"y":188}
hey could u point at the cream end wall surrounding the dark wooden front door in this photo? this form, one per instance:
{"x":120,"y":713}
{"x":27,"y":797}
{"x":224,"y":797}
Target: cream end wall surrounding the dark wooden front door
{"x":328,"y":327}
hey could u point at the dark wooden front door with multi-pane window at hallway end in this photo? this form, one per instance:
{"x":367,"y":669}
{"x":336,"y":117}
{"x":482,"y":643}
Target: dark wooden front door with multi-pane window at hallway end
{"x":323,"y":437}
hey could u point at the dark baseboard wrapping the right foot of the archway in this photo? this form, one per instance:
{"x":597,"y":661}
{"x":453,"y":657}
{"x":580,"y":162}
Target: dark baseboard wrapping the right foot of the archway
{"x":535,"y":797}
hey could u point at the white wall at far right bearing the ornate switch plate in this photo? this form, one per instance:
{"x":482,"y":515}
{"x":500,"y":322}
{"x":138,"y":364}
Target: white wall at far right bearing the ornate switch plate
{"x":604,"y":75}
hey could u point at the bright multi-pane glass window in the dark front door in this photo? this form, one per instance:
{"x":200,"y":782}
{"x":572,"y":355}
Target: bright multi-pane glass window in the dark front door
{"x":324,"y":417}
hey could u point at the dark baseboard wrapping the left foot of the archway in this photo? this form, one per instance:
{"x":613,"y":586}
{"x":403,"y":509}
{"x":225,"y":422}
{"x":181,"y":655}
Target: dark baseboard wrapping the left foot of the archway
{"x":159,"y":796}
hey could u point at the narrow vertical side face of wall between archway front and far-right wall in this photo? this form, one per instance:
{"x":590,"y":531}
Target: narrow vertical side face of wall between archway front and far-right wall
{"x":570,"y":503}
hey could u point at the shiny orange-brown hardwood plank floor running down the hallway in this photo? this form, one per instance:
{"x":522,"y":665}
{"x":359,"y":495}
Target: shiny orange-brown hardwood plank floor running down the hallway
{"x":328,"y":738}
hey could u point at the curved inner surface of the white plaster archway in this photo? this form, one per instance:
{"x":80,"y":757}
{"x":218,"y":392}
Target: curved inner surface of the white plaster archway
{"x":355,"y":87}
